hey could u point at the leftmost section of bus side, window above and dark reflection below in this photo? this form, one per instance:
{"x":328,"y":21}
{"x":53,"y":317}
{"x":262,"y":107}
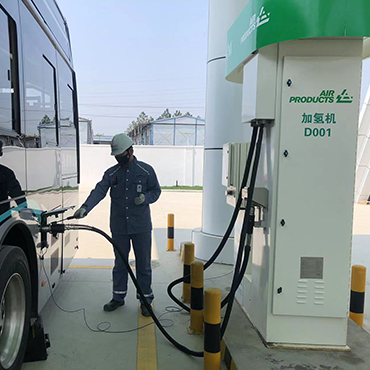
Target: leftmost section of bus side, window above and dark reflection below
{"x":12,"y":154}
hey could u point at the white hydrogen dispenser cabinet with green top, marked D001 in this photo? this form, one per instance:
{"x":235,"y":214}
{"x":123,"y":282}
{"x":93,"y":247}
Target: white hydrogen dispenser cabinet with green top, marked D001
{"x":300,"y":66}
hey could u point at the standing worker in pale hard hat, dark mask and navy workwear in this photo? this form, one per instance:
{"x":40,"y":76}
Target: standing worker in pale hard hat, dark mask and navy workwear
{"x":133,"y":186}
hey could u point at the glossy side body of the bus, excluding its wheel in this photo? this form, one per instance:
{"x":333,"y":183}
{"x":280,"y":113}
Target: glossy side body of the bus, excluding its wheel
{"x":38,"y":131}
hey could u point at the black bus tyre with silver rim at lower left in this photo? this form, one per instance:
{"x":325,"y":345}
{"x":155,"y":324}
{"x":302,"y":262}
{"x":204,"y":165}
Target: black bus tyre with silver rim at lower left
{"x":15,"y":307}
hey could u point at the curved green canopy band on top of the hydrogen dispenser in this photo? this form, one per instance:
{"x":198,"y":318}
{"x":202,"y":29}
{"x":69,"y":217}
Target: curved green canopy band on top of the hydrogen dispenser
{"x":267,"y":22}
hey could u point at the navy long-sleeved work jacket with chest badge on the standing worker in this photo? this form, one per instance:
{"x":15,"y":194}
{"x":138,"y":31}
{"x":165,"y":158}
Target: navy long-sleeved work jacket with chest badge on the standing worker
{"x":125,"y":184}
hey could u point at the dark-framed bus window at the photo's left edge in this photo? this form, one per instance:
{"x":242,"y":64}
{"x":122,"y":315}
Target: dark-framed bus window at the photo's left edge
{"x":9,"y":84}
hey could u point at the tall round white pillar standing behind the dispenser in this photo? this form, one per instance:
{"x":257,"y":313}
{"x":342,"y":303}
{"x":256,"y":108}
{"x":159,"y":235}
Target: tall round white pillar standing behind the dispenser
{"x":223,"y":124}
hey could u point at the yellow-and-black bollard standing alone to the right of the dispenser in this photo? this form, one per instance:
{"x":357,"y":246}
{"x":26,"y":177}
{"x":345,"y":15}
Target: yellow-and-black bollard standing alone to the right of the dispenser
{"x":358,"y":286}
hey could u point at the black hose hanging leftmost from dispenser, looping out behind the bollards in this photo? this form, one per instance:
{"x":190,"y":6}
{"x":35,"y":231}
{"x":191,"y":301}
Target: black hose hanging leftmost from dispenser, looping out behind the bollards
{"x":229,"y":229}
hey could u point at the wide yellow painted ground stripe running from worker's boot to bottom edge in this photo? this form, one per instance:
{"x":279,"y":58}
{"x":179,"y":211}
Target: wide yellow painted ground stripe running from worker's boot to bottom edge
{"x":146,"y":345}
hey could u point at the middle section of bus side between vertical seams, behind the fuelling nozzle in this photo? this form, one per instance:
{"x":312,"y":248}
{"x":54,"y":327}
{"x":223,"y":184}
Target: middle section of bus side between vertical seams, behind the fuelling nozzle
{"x":41,"y":136}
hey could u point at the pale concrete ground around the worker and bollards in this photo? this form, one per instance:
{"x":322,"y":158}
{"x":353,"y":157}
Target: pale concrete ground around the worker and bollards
{"x":88,"y":284}
